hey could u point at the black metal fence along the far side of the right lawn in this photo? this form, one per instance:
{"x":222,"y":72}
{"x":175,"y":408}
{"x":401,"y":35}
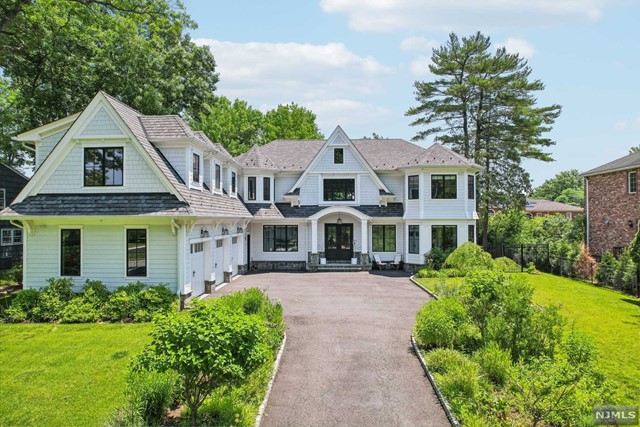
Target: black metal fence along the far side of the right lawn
{"x":544,"y":260}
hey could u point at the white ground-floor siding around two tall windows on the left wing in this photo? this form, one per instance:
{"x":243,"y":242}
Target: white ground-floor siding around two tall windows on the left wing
{"x":103,"y":255}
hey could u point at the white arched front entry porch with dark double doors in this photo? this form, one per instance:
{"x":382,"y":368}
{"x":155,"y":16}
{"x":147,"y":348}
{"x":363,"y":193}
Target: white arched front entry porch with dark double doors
{"x":339,"y":239}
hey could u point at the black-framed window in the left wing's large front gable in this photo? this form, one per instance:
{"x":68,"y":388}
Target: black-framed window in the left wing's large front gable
{"x":103,"y":166}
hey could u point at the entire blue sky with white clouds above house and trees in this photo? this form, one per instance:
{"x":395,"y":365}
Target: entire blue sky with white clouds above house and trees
{"x":353,"y":62}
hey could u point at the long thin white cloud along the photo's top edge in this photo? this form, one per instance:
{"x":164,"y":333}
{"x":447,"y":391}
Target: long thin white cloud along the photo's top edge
{"x":439,"y":15}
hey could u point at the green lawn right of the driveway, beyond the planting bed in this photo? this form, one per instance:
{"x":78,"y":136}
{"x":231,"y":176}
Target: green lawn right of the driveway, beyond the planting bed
{"x":612,"y":318}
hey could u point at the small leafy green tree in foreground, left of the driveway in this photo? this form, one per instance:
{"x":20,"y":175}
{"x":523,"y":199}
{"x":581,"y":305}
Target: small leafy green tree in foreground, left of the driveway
{"x":208,"y":347}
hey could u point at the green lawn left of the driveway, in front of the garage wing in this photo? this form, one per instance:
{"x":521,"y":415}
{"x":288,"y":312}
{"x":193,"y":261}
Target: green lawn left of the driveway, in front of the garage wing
{"x":65,"y":375}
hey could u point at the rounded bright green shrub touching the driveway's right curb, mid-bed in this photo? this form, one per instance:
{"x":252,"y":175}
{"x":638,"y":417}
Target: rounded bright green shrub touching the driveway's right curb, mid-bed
{"x":441,"y":323}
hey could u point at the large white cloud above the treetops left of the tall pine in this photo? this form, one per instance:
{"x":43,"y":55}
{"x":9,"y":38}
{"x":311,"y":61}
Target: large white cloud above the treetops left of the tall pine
{"x":329,"y":79}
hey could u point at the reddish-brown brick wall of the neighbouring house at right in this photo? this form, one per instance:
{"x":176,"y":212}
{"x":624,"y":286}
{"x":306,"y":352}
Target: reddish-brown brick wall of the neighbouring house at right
{"x":609,"y":199}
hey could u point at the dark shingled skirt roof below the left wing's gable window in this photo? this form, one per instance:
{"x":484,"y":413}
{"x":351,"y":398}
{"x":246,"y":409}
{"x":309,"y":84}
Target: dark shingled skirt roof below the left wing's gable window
{"x":99,"y":204}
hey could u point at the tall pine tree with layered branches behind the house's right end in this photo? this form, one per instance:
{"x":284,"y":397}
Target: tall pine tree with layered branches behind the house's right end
{"x":482,"y":104}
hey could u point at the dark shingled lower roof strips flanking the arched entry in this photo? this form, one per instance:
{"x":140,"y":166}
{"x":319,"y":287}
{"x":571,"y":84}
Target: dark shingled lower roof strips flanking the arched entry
{"x":285,"y":210}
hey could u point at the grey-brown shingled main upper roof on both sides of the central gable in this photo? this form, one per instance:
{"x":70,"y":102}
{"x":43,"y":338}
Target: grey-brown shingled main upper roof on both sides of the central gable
{"x":381,"y":154}
